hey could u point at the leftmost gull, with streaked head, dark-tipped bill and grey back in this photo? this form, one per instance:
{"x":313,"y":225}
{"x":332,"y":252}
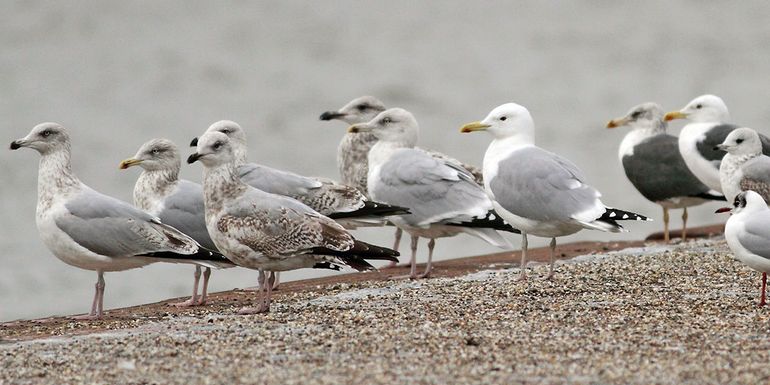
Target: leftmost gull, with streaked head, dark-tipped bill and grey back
{"x":93,"y":231}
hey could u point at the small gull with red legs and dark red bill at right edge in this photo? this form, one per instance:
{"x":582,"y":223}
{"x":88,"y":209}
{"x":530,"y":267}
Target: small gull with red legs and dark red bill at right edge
{"x":747,"y":232}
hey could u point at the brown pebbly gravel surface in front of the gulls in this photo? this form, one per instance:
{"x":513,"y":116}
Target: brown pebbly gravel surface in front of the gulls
{"x":668,"y":315}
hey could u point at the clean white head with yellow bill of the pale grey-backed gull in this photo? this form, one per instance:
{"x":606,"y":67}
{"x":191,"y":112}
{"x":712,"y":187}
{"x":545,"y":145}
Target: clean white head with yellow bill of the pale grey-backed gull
{"x":507,"y":120}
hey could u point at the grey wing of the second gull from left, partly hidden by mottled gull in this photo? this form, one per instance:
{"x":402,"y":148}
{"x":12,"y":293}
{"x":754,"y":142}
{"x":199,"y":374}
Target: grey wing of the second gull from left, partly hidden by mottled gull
{"x":184,"y":210}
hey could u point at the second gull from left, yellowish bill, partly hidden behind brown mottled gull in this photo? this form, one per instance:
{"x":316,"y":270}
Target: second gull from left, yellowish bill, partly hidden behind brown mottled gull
{"x":177,"y":202}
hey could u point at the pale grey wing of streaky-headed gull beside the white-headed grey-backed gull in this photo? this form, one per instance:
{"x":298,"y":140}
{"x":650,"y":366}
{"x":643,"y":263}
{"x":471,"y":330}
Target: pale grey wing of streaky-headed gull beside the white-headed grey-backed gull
{"x":433,"y":190}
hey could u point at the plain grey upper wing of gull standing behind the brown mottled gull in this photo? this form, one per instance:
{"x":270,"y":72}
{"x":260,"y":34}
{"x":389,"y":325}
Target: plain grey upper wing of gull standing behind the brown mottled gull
{"x":276,"y":181}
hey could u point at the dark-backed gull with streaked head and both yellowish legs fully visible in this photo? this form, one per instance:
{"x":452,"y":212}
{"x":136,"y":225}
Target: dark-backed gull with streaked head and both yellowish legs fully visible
{"x":652,"y":162}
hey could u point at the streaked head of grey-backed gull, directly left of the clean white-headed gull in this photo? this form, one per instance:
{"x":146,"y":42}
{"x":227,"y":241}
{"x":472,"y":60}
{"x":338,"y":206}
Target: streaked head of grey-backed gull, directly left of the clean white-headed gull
{"x":395,"y":125}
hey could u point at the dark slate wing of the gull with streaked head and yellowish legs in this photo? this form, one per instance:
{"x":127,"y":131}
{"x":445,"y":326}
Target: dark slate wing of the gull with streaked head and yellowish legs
{"x":658,"y":171}
